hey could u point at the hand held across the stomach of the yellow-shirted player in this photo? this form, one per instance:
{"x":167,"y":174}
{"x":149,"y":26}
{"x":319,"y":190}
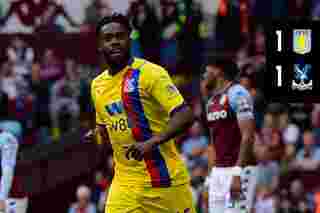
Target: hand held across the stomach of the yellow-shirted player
{"x":138,"y":150}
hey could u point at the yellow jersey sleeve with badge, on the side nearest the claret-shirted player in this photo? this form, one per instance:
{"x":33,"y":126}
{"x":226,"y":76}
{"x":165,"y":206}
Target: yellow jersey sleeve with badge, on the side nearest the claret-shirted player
{"x":165,"y":92}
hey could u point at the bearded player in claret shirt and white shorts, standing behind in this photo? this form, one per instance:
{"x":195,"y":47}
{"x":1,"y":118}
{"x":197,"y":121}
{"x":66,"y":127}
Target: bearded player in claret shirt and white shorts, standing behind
{"x":229,"y":115}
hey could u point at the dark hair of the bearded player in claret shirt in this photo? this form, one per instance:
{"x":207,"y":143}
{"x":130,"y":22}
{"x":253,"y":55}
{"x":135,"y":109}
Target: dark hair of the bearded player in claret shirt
{"x":226,"y":64}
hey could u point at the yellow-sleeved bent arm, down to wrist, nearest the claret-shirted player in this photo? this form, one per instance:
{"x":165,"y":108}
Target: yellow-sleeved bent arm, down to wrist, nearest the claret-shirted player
{"x":169,"y":97}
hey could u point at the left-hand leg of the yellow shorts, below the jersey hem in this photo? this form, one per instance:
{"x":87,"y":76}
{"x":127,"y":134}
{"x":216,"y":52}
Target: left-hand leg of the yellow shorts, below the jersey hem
{"x":122,"y":199}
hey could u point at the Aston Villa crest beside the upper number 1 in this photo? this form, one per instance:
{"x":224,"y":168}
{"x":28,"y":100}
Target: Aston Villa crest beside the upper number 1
{"x":301,"y":41}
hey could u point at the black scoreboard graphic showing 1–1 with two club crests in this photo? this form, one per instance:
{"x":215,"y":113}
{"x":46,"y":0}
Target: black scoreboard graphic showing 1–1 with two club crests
{"x":293,"y":61}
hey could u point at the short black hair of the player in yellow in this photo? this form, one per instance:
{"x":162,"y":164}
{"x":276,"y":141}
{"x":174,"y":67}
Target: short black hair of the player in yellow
{"x":116,"y":18}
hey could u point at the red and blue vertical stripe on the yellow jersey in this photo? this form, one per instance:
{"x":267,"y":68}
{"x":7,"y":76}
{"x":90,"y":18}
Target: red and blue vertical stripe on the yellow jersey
{"x":141,"y":130}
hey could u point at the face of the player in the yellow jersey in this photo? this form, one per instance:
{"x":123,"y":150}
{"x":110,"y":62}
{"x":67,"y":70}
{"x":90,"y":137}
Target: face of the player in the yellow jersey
{"x":114,"y":42}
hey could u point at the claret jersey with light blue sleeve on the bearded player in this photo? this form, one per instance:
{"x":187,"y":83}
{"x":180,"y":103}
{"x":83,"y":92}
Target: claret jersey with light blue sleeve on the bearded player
{"x":224,"y":110}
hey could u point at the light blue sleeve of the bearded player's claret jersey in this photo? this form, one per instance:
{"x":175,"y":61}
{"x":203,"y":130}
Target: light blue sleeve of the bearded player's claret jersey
{"x":241,"y":103}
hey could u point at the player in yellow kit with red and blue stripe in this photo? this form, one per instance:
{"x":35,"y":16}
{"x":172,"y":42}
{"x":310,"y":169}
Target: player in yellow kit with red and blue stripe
{"x":140,"y":112}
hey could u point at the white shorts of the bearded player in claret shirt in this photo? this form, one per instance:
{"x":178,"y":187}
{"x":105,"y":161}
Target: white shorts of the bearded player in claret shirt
{"x":219,"y":184}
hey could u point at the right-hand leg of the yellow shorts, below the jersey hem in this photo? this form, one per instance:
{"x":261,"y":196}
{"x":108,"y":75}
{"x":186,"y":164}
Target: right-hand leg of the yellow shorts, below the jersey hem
{"x":169,"y":200}
